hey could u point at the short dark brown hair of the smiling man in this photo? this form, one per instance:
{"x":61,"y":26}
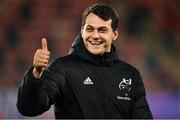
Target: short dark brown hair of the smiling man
{"x":103,"y":11}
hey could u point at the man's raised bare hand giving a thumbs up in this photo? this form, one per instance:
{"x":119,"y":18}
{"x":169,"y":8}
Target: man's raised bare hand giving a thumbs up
{"x":41,"y":59}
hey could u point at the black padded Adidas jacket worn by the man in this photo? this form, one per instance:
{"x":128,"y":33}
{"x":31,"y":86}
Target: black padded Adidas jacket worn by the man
{"x":82,"y":85}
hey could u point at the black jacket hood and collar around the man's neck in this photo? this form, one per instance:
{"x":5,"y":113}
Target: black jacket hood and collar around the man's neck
{"x":80,"y":50}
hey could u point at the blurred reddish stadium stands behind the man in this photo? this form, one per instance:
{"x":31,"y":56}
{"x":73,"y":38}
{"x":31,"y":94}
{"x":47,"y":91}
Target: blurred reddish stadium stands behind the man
{"x":149,"y":40}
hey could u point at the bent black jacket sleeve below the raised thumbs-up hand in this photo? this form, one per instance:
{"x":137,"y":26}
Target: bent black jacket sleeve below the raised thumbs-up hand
{"x":35,"y":96}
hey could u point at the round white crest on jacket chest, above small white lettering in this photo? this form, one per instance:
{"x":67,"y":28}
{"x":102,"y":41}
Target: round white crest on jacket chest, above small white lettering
{"x":125,"y":84}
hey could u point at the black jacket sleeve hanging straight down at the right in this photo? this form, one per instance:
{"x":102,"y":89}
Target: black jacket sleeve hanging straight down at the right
{"x":140,"y":108}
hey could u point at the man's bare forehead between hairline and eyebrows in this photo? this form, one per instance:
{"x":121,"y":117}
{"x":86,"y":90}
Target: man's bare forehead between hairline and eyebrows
{"x":95,"y":21}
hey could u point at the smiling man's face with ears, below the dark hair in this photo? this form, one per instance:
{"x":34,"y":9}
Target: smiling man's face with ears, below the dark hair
{"x":98,"y":35}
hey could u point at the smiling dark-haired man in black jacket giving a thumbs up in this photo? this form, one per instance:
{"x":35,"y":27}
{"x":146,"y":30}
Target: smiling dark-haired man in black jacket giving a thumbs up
{"x":90,"y":82}
